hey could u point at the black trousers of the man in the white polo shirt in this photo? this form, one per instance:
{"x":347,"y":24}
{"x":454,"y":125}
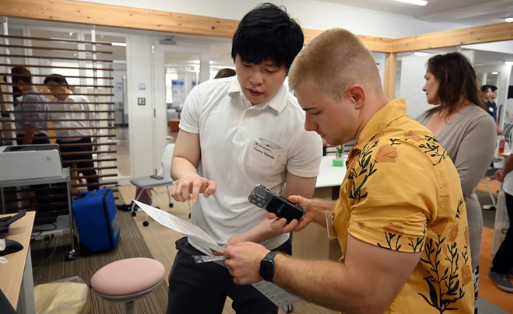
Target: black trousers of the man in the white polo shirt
{"x":203,"y":288}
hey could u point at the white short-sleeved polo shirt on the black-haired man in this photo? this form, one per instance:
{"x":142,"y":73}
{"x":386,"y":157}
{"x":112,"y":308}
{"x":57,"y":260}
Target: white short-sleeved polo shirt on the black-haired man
{"x":241,"y":146}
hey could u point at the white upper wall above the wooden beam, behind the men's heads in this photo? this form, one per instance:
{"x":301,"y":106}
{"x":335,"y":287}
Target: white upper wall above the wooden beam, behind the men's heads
{"x":310,"y":13}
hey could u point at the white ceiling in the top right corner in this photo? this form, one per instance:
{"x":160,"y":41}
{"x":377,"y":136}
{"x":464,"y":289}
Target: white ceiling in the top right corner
{"x":466,"y":12}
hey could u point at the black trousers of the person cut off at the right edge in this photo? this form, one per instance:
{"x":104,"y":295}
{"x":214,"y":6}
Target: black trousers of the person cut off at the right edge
{"x":503,"y":260}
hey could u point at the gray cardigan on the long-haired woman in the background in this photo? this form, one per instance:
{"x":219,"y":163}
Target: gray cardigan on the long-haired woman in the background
{"x":470,"y":141}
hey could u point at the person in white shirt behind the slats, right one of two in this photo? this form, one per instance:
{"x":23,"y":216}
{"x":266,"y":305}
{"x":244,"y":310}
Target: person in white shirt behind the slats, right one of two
{"x":77,"y":109}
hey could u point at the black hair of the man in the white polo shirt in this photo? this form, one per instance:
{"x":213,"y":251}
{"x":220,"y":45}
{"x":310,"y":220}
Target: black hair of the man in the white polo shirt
{"x":268,"y":33}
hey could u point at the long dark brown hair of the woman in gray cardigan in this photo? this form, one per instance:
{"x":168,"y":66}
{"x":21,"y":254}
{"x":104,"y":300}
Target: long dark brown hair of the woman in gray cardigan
{"x":457,"y":80}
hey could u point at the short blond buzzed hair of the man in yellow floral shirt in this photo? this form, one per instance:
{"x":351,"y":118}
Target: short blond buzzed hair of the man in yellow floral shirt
{"x":332,"y":61}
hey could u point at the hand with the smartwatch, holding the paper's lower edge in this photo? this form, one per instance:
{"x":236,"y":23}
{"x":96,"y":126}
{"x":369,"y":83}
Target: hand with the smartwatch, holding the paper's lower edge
{"x":243,"y":262}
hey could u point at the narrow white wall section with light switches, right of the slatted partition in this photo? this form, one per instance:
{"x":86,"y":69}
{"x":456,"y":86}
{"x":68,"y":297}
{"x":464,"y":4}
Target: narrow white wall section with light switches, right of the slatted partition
{"x":140,"y":70}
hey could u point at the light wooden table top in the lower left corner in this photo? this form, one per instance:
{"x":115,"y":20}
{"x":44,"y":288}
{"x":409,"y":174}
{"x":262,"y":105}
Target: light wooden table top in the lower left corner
{"x":11,"y":273}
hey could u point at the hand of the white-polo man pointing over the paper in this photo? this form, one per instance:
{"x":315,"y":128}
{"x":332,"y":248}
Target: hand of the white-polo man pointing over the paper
{"x":189,"y":187}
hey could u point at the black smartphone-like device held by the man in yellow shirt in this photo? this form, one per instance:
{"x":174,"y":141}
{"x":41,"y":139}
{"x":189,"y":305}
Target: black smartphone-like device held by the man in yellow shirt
{"x":276,"y":204}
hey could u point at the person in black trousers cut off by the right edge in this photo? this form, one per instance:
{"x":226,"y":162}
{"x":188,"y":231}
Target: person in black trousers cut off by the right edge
{"x":502,"y":264}
